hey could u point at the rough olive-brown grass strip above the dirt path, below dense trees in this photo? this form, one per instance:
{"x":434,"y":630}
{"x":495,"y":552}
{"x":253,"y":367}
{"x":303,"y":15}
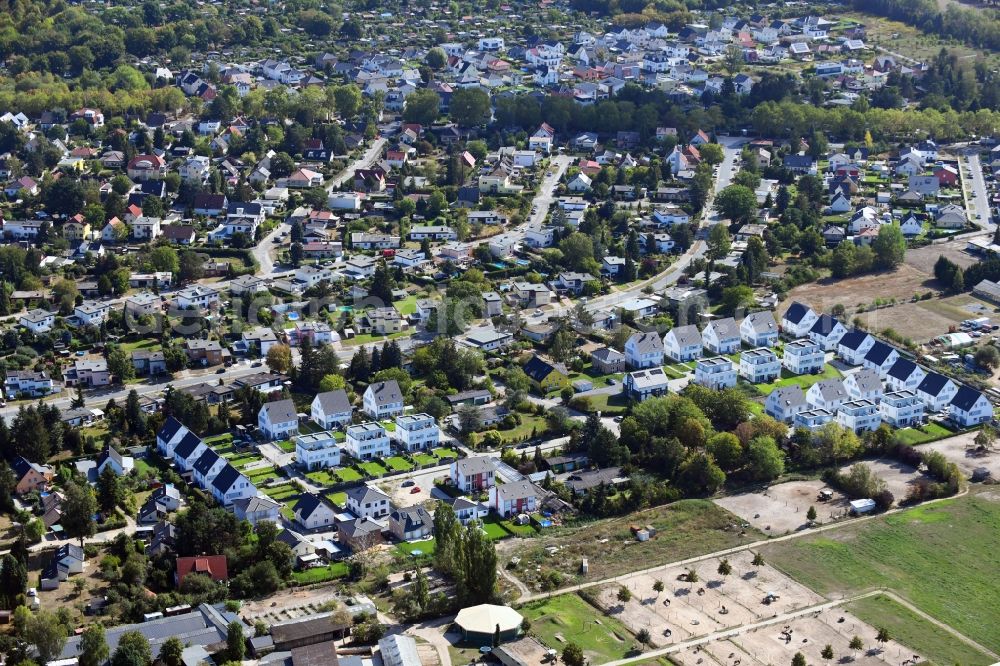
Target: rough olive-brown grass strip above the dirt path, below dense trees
{"x":683,"y":529}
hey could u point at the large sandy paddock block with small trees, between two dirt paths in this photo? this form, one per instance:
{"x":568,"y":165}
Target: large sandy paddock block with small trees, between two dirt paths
{"x":688,"y":610}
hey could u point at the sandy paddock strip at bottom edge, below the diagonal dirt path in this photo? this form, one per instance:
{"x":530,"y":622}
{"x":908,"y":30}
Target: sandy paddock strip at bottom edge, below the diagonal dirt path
{"x":778,"y":643}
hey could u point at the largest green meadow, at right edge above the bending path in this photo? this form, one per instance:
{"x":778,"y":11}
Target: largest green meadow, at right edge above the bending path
{"x":942,"y":558}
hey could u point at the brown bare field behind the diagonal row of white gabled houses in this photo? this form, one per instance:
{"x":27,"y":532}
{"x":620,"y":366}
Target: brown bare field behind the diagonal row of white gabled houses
{"x":900,"y":284}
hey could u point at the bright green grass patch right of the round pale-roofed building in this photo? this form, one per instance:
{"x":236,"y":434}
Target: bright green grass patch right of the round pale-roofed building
{"x":602,"y":638}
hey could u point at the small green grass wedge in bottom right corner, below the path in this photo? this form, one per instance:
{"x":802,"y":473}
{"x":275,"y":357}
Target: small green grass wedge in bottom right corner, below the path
{"x":917,"y":633}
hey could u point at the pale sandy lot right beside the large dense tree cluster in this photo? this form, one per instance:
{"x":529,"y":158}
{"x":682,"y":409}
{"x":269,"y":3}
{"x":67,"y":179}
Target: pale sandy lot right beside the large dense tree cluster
{"x":782,"y":508}
